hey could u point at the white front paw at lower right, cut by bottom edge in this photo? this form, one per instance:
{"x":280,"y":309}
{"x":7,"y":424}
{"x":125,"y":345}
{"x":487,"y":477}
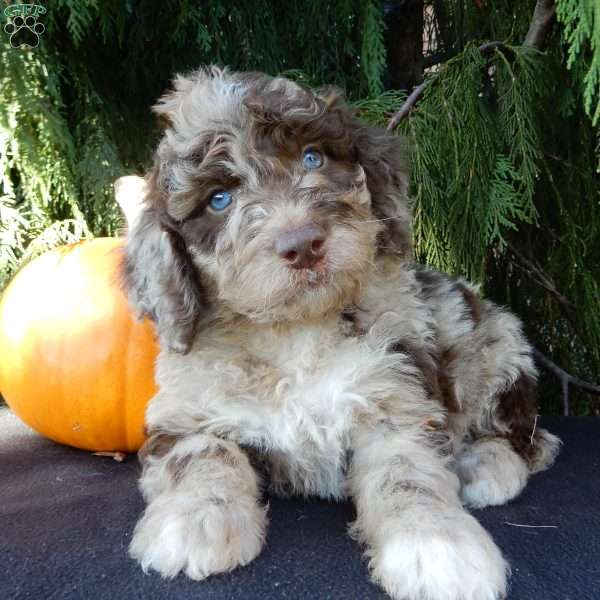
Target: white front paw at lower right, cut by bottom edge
{"x":454,"y":560}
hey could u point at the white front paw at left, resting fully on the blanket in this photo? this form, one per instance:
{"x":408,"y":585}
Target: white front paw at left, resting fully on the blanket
{"x":201,"y":540}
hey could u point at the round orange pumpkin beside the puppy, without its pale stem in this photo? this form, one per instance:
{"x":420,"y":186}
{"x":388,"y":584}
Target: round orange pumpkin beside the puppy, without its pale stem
{"x":75,"y":364}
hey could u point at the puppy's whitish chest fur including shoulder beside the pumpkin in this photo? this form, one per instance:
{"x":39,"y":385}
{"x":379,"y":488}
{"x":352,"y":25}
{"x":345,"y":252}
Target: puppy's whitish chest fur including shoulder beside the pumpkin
{"x":295,"y":393}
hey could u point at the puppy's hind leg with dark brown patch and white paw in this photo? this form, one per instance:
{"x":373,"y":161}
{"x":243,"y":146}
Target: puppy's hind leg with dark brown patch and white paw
{"x":506,"y":445}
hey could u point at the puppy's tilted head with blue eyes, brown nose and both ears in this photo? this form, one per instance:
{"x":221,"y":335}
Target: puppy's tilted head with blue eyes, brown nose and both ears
{"x":266,"y":200}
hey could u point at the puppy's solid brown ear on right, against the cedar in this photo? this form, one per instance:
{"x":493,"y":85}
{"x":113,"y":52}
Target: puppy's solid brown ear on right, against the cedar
{"x":382,"y":156}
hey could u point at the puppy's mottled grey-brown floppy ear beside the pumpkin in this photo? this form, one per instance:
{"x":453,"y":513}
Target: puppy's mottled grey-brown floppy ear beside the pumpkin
{"x":161,"y":279}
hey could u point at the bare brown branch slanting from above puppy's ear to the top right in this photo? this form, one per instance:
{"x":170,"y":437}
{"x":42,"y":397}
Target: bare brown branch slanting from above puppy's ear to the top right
{"x":536,"y":37}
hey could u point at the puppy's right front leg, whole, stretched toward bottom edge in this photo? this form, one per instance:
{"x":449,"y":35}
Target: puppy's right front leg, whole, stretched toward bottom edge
{"x":422,"y":544}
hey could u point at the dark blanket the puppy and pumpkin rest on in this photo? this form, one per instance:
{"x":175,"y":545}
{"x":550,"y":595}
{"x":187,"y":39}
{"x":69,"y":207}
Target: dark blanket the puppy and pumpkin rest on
{"x":66,"y":519}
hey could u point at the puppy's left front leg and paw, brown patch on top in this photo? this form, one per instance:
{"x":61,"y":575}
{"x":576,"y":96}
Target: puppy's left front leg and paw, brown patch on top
{"x":203,"y":514}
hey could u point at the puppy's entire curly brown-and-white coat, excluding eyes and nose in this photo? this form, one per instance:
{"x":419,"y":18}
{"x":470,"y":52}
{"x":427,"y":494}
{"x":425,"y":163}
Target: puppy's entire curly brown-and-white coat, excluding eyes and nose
{"x":359,"y":376}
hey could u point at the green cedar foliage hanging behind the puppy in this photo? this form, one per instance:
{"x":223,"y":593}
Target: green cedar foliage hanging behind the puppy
{"x":505,"y":146}
